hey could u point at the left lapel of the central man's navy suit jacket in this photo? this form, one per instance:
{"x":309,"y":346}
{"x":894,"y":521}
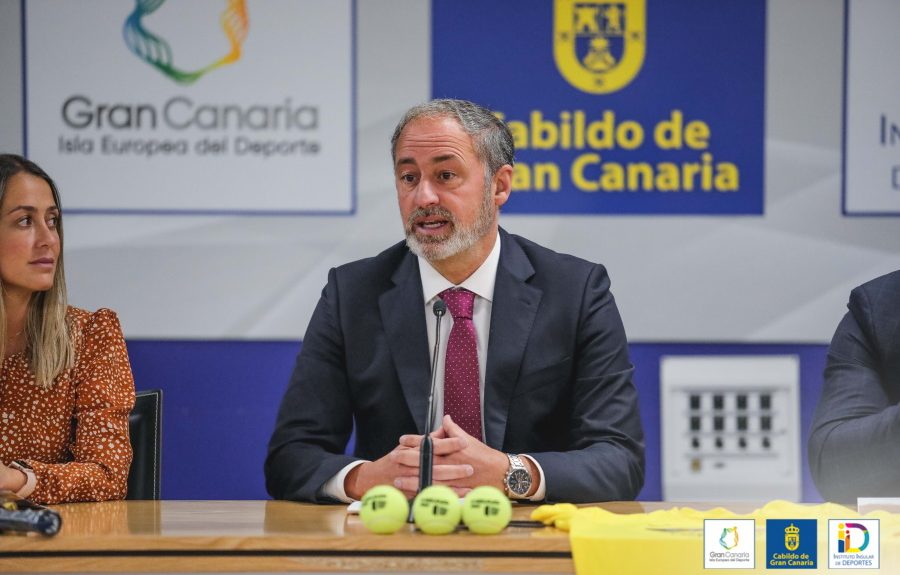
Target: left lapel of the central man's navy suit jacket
{"x":403,"y":315}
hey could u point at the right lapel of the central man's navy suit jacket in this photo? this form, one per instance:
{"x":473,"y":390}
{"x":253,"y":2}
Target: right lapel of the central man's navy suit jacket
{"x":512,"y":317}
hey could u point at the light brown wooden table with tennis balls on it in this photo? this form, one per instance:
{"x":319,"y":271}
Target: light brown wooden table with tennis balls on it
{"x":205,"y":536}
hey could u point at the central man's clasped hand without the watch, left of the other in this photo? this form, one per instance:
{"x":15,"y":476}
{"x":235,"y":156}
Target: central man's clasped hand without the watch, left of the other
{"x":400,"y":467}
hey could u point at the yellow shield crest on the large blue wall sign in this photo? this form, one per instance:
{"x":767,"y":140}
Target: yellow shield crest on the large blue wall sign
{"x":599,"y":45}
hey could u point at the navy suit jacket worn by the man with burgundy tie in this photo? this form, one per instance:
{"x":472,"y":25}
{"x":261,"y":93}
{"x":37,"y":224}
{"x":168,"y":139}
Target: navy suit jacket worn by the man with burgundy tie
{"x":557,"y":383}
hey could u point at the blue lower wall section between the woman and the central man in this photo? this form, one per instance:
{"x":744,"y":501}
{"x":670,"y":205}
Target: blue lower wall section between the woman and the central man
{"x":219,"y":405}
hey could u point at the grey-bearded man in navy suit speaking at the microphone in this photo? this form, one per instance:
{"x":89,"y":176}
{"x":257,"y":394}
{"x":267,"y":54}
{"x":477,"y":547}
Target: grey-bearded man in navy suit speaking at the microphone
{"x":533,"y":377}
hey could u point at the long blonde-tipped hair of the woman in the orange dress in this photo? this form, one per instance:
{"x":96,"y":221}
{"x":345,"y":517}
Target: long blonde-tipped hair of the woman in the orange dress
{"x":49,"y":347}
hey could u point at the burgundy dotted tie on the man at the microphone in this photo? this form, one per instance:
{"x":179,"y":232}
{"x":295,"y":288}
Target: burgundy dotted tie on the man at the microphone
{"x":462,"y":396}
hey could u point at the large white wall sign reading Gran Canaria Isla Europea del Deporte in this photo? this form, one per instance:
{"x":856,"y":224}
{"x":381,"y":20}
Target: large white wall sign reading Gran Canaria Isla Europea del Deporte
{"x":208,"y":106}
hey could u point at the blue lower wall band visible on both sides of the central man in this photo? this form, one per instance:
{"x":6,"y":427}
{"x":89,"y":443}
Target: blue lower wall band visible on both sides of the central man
{"x":221,"y":398}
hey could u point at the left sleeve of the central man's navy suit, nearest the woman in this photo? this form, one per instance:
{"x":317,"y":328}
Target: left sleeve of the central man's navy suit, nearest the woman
{"x":315,"y":419}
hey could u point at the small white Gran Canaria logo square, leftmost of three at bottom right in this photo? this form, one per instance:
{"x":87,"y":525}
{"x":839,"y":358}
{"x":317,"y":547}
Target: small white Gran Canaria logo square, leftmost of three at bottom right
{"x":729,"y":543}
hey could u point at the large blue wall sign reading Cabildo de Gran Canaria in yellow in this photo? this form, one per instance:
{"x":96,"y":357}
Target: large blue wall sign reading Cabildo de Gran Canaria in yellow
{"x":616,"y":107}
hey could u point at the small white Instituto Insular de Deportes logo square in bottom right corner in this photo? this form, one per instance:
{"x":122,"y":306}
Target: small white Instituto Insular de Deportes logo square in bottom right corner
{"x":854,"y":543}
